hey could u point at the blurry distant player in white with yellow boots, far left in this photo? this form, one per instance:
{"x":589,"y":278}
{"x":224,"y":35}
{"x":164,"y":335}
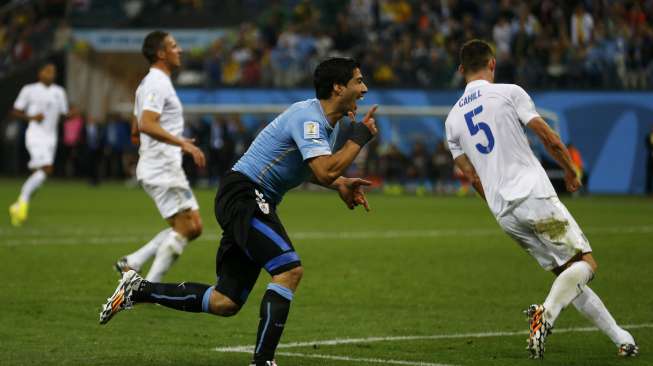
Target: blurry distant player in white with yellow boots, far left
{"x":41,"y":104}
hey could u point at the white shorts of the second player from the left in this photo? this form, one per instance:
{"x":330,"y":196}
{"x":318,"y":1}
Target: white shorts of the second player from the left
{"x":171,"y":200}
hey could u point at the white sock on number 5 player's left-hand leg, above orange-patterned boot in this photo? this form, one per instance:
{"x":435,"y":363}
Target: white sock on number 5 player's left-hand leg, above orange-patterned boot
{"x":567,"y":286}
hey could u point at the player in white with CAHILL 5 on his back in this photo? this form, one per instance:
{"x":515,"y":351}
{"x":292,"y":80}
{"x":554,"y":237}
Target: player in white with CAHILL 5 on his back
{"x":485,"y":135}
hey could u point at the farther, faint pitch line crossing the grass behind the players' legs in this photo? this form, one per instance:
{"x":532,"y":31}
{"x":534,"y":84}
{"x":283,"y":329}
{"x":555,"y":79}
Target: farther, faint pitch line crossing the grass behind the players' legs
{"x":103,"y":239}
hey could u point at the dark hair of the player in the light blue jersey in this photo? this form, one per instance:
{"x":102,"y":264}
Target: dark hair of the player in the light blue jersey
{"x":336,"y":70}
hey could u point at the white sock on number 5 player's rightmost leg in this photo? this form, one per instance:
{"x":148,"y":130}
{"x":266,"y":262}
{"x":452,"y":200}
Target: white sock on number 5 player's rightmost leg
{"x":590,"y":305}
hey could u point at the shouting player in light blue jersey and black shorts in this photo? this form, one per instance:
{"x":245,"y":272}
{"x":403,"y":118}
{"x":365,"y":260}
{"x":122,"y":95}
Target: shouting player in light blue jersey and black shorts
{"x":297,"y":146}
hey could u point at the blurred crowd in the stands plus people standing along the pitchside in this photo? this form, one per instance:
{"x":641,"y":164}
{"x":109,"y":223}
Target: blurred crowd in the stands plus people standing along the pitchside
{"x":401,"y":43}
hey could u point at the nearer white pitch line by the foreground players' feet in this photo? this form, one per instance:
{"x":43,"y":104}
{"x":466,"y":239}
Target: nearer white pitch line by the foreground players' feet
{"x":335,"y":342}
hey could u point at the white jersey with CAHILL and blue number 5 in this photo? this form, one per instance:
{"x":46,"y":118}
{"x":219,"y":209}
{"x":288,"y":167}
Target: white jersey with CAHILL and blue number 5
{"x":487,"y":124}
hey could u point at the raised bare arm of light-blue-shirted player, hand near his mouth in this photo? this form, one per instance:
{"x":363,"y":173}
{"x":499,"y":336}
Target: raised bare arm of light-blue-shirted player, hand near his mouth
{"x":327,"y":168}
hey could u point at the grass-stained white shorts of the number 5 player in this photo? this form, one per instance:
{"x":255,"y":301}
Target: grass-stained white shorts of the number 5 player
{"x":546,"y":230}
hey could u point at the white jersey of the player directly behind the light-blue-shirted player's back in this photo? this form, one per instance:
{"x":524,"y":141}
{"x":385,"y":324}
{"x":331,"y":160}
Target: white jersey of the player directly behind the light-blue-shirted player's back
{"x":159,"y":162}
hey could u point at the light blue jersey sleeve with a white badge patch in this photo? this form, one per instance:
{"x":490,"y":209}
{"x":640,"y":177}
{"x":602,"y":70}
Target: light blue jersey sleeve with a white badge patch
{"x":311,"y":138}
